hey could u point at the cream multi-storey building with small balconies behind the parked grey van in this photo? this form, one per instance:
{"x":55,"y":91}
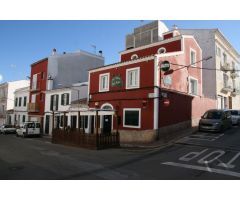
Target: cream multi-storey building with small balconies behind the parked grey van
{"x":220,"y":80}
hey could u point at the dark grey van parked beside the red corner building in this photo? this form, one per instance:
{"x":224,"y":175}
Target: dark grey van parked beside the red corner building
{"x":215,"y":120}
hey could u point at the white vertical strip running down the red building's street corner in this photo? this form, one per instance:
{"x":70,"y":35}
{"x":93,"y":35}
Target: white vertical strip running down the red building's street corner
{"x":156,"y":95}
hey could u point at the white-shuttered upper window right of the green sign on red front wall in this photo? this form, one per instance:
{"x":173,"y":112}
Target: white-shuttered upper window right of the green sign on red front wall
{"x":132,"y":80}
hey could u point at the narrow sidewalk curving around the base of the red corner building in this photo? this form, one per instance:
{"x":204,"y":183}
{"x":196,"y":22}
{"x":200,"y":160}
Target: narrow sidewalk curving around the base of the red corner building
{"x":161,"y":143}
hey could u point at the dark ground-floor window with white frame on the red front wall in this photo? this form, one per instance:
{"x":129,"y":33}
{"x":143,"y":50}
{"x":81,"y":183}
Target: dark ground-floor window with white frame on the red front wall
{"x":132,"y":117}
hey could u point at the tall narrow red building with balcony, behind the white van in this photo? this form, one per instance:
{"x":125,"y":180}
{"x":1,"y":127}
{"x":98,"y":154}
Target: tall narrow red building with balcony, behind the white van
{"x":38,"y":86}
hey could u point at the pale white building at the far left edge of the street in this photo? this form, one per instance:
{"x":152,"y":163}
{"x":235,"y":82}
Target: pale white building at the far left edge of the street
{"x":7,"y":99}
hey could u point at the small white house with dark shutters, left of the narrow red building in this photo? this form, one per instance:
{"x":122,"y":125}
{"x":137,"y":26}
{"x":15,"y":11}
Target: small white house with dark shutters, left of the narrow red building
{"x":21,"y":97}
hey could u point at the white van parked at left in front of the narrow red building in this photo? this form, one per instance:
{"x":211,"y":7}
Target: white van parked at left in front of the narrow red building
{"x":29,"y":128}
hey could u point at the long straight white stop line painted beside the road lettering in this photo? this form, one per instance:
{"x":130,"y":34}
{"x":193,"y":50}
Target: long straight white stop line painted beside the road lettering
{"x":207,"y":169}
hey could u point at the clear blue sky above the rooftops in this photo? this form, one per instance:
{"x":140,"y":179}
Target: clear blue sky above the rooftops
{"x":24,"y":42}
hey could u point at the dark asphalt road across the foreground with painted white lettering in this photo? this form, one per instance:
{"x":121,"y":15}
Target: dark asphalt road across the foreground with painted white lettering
{"x":200,"y":156}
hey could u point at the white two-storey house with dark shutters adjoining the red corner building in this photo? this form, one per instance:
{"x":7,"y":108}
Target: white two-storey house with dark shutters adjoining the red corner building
{"x":69,"y":100}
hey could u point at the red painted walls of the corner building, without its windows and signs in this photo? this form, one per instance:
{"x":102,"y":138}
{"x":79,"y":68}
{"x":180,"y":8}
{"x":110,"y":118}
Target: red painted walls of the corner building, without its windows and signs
{"x":154,"y":114}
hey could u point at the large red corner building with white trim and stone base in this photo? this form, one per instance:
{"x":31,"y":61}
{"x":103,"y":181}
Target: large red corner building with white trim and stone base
{"x":149,"y":101}
